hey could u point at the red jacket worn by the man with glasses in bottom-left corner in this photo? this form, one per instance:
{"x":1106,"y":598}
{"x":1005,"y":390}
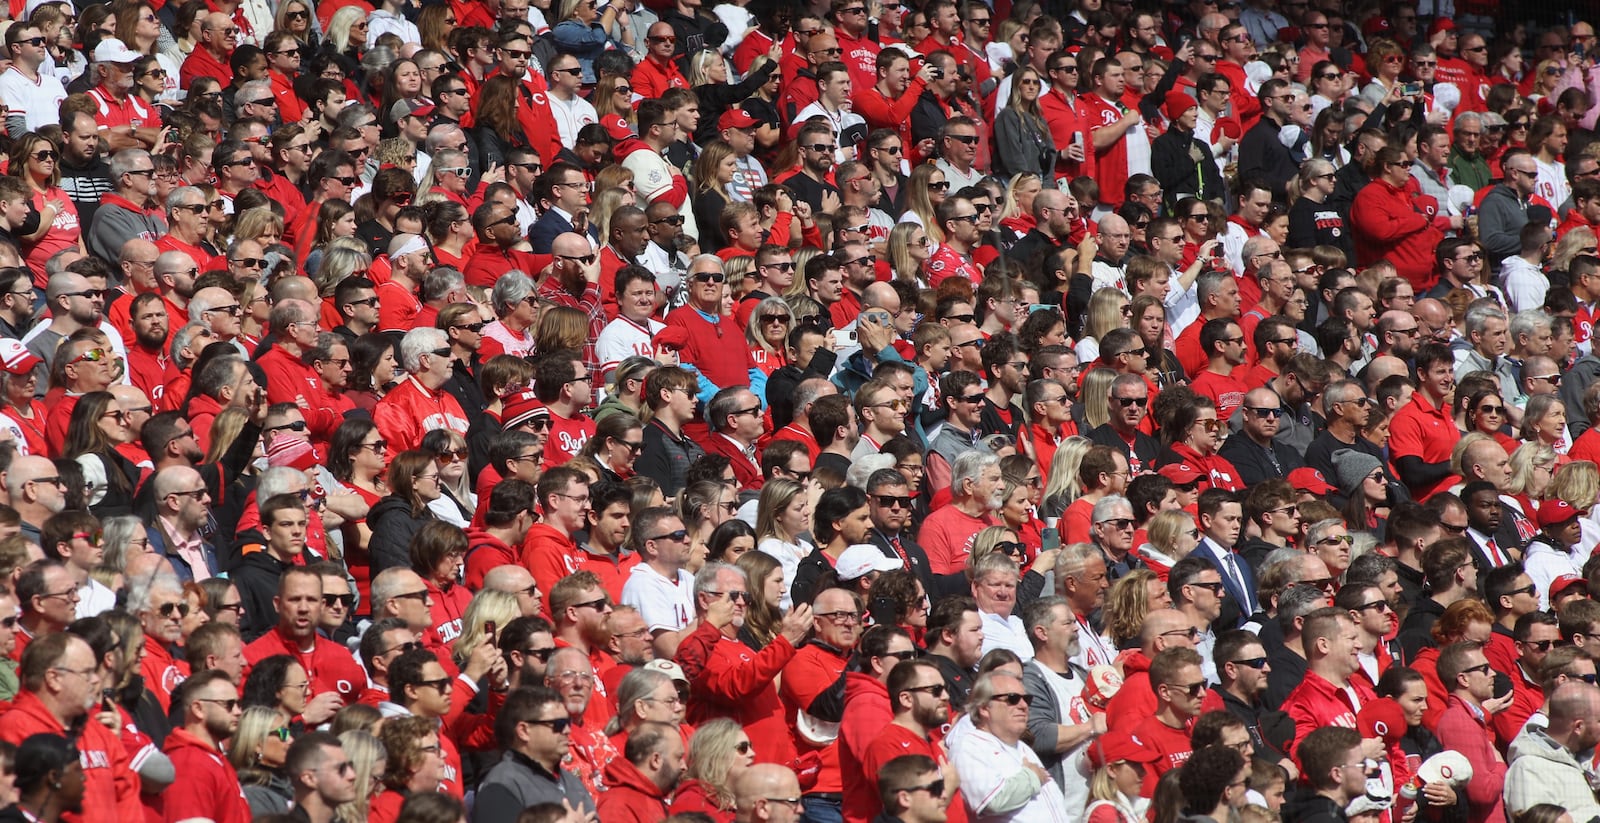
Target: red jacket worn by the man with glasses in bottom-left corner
{"x":111,"y":789}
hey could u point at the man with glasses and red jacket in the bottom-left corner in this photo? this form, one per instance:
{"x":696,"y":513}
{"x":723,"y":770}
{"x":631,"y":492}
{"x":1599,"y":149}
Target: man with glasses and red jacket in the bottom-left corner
{"x":62,"y":684}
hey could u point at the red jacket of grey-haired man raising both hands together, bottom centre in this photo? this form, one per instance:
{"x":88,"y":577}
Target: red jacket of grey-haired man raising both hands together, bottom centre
{"x":737,"y":683}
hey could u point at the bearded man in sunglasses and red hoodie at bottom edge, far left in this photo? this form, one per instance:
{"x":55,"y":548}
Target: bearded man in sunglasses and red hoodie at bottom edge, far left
{"x":209,"y":787}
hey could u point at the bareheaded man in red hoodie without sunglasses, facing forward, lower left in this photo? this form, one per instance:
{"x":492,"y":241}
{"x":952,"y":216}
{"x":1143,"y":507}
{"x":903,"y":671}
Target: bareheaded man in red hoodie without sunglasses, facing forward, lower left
{"x":335,"y":676}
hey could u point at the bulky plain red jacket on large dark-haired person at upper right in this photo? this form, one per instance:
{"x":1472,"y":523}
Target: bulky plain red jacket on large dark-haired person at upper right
{"x":1388,"y":227}
